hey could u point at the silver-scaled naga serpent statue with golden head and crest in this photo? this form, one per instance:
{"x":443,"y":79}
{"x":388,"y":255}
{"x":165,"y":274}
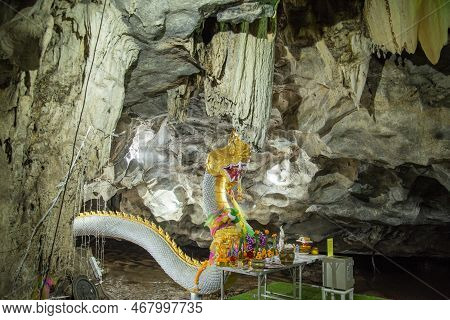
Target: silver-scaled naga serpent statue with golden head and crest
{"x":222,"y":182}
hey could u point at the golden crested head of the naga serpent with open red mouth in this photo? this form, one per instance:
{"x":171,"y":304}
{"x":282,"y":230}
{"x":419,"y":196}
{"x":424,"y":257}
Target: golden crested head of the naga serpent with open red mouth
{"x":230,"y":160}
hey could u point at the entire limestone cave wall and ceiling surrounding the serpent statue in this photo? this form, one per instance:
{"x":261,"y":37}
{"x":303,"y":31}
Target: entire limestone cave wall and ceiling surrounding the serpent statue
{"x":351,"y":134}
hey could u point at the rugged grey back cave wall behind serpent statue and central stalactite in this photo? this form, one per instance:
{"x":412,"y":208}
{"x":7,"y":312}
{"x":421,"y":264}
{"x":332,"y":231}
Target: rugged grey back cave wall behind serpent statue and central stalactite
{"x":356,"y":148}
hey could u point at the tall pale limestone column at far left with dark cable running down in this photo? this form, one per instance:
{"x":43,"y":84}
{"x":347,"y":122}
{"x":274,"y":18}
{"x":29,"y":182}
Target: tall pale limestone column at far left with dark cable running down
{"x":46,"y":51}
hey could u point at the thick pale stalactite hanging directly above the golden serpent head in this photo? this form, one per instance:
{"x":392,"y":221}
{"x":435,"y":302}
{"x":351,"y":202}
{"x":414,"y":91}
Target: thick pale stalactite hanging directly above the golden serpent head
{"x":239,"y":75}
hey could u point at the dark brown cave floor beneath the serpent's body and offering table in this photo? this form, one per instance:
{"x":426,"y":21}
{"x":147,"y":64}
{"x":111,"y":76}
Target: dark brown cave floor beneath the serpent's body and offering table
{"x":133,"y":274}
